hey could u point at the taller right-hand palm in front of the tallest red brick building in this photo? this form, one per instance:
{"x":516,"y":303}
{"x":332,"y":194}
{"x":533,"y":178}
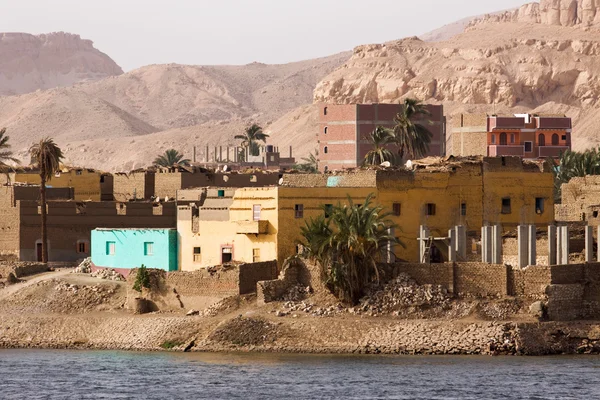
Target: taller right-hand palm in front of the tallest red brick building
{"x":412,"y":137}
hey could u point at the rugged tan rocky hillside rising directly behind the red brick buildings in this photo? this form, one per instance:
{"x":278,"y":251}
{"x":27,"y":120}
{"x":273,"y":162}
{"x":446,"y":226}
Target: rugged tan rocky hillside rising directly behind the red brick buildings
{"x":504,"y":66}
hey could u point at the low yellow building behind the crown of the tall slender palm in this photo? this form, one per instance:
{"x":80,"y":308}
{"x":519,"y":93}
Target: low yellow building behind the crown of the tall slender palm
{"x":88,"y":184}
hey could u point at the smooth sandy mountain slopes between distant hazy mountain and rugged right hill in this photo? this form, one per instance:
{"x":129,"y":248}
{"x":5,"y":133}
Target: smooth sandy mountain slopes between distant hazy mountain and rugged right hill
{"x":123,"y":122}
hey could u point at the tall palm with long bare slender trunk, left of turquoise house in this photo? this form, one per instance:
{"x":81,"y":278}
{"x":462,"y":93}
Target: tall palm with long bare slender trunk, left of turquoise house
{"x":47,"y":155}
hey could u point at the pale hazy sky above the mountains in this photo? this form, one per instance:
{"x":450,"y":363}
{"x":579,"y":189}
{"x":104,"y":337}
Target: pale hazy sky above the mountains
{"x":140,"y":32}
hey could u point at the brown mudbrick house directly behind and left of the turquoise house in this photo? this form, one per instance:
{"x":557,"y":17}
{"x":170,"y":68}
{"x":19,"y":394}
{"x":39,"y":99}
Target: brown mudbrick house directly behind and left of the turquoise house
{"x":70,"y":222}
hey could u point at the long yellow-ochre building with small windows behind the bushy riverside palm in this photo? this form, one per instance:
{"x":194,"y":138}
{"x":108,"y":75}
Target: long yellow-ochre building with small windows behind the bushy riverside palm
{"x":438,"y":194}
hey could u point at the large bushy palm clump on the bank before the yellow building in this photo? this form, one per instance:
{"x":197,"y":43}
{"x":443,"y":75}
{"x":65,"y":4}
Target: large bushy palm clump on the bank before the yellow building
{"x":348,"y":245}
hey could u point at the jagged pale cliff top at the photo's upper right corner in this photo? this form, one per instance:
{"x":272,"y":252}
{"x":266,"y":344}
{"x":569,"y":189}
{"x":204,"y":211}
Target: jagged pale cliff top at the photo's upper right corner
{"x":551,"y":12}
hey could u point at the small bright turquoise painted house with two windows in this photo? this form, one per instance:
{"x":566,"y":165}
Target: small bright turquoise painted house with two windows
{"x":130,"y":248}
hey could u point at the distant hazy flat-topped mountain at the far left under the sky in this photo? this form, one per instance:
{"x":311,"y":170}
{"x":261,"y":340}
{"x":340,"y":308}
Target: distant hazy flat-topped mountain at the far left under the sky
{"x":30,"y":62}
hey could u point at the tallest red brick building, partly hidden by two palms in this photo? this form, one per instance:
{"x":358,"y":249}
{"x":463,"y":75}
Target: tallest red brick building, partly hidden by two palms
{"x":343,"y":131}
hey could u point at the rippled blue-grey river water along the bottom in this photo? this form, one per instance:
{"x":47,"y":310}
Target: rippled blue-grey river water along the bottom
{"x":50,"y":374}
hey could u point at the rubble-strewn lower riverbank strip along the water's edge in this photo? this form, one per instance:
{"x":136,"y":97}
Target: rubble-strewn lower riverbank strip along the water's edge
{"x":333,"y":335}
